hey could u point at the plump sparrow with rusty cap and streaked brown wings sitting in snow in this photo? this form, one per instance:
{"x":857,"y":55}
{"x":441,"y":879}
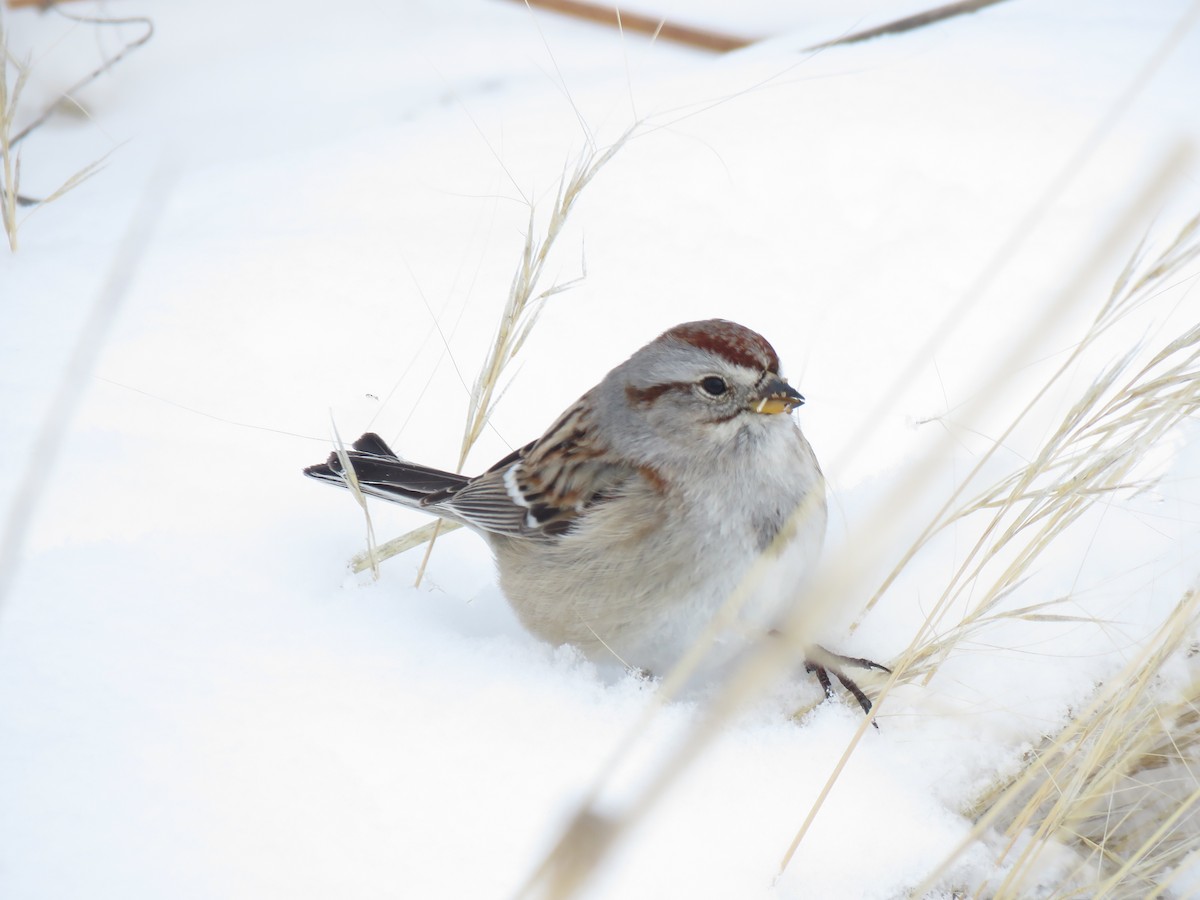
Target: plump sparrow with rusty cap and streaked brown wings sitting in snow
{"x":629,"y":524}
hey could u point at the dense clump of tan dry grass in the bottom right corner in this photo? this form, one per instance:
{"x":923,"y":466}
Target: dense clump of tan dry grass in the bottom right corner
{"x":1118,"y":787}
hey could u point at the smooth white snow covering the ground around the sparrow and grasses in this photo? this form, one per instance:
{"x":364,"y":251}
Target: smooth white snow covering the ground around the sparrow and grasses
{"x":197,"y":701}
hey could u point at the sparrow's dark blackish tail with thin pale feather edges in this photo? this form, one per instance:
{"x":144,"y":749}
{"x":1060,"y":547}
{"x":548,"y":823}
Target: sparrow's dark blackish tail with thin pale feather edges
{"x":381,"y":473}
